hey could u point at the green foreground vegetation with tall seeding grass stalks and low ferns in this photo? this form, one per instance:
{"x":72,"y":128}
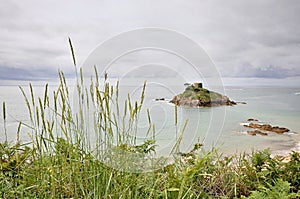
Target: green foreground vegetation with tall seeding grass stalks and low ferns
{"x":61,"y":162}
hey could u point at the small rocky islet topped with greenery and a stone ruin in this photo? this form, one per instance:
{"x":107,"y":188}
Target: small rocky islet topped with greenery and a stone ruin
{"x":197,"y":96}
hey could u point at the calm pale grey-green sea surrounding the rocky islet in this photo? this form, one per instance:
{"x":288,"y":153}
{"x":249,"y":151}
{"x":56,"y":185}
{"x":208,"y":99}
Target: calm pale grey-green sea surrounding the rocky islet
{"x":220,"y":127}
